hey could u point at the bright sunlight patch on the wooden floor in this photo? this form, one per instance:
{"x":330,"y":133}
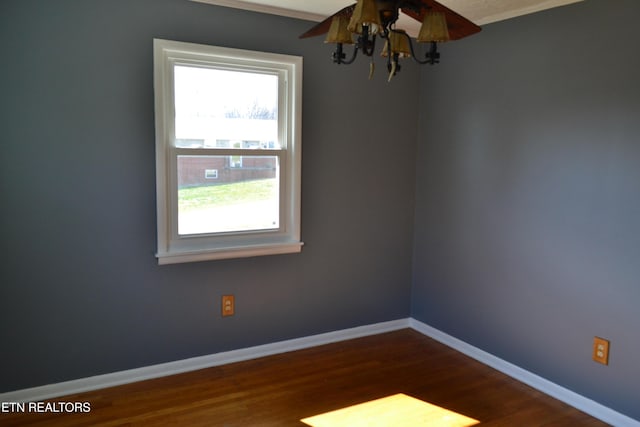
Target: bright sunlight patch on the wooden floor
{"x":398,"y":410}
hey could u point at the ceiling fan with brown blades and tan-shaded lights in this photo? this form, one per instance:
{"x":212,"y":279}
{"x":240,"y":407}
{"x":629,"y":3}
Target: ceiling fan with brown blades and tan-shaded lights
{"x":369,"y":19}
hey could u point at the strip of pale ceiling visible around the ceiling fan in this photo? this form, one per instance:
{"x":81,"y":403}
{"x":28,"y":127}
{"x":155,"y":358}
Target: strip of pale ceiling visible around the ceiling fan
{"x":479,"y":11}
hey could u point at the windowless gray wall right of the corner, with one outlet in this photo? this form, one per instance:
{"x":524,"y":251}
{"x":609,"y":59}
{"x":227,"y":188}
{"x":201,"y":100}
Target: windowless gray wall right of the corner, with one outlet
{"x":527,"y":236}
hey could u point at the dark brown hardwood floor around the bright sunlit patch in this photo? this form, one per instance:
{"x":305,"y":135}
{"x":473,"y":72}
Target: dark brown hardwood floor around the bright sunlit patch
{"x":283,"y":389}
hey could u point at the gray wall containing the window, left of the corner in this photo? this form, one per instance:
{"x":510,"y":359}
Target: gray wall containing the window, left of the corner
{"x":80,"y":289}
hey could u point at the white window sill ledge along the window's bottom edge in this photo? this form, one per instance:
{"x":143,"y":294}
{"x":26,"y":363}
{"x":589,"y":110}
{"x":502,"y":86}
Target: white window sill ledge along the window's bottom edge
{"x":230,"y":252}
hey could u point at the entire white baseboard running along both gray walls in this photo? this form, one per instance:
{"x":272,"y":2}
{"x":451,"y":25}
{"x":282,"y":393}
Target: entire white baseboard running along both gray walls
{"x":165,"y":369}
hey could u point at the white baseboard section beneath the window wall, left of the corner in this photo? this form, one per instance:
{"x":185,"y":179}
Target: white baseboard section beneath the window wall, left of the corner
{"x":171,"y":368}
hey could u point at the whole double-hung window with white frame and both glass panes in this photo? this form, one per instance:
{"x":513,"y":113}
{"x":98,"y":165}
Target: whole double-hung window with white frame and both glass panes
{"x":228,"y":152}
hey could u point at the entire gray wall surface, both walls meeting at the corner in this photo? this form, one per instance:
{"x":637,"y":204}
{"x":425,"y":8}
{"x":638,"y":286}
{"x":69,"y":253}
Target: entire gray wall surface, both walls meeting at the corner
{"x":526,"y":235}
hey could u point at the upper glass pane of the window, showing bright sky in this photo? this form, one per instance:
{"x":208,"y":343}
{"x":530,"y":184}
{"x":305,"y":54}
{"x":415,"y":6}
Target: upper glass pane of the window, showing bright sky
{"x":225,"y":109}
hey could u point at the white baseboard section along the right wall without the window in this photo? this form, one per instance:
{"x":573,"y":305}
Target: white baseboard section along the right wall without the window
{"x":569,"y":397}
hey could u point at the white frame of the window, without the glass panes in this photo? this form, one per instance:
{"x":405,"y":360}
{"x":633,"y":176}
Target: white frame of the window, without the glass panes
{"x":175,"y":248}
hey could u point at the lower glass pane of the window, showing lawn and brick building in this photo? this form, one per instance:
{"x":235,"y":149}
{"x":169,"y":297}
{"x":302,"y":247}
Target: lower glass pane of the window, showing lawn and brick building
{"x":241,"y":195}
